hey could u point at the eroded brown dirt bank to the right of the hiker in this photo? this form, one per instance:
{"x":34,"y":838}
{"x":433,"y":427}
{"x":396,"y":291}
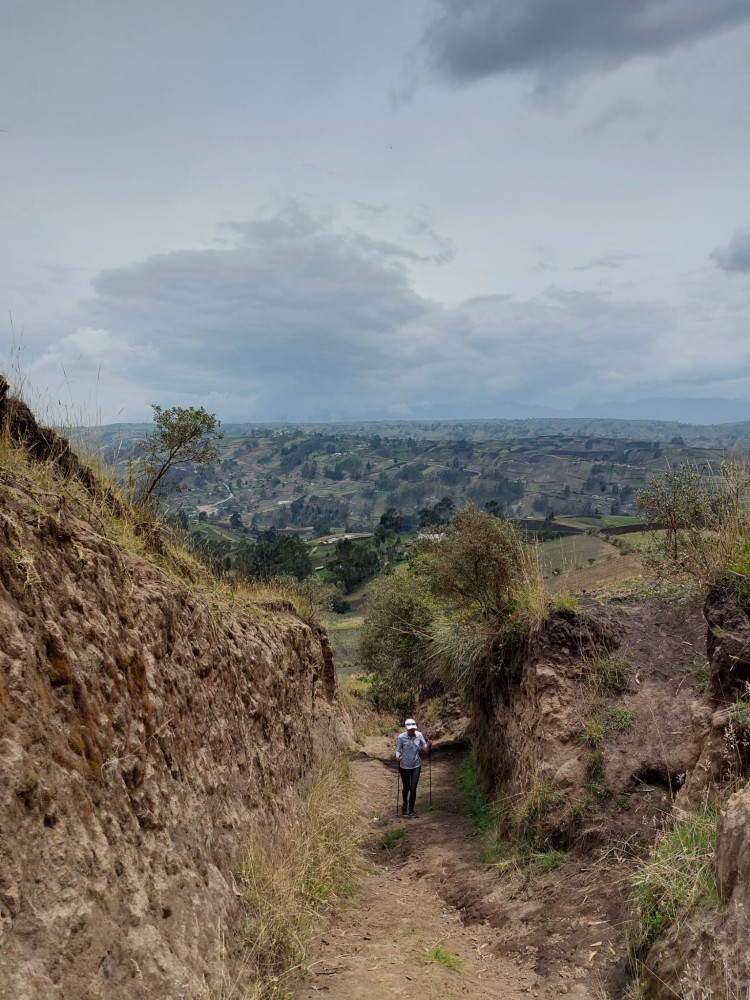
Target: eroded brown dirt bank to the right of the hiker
{"x":533,"y":727}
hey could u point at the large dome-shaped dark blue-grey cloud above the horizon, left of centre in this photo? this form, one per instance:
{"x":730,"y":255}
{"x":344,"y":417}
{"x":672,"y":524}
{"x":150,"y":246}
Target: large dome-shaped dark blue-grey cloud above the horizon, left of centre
{"x":292,"y":308}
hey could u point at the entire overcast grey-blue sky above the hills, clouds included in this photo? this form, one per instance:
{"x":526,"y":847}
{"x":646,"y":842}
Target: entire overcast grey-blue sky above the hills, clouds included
{"x":344,"y":209}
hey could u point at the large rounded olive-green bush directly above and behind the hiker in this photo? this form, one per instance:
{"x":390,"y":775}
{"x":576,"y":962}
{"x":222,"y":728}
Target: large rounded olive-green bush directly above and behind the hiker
{"x":457,"y":616}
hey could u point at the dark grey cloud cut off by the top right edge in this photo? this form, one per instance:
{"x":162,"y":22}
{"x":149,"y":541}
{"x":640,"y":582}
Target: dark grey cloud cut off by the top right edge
{"x":471,"y":39}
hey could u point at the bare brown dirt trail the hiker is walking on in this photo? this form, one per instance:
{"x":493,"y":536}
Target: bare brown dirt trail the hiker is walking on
{"x":430,"y":888}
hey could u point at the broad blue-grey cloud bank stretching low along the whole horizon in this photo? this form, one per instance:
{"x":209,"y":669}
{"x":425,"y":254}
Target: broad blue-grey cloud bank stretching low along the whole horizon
{"x":296,"y":319}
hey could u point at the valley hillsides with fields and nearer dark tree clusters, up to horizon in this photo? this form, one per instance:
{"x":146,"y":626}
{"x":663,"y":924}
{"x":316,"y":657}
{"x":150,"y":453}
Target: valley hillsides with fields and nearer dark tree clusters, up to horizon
{"x":278,"y":501}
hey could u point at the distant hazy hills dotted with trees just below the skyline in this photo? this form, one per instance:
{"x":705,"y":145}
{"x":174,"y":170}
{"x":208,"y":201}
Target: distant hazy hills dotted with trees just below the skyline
{"x":317,"y":480}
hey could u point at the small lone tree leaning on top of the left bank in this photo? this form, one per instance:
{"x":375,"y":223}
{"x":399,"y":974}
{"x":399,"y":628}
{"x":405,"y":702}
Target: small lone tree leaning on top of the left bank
{"x":183,"y":434}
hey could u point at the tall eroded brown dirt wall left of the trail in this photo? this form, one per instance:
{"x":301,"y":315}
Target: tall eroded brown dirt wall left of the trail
{"x":144,"y":729}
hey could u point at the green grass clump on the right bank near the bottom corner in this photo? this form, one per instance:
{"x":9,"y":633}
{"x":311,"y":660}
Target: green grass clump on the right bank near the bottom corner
{"x":677,"y":876}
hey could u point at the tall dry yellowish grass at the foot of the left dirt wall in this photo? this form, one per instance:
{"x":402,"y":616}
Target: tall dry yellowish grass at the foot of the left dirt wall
{"x":288,"y":883}
